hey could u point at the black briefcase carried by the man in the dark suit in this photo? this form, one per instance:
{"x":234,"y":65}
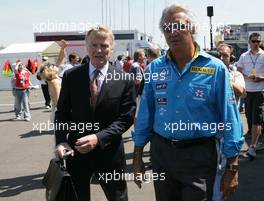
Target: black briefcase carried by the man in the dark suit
{"x":58,"y":183}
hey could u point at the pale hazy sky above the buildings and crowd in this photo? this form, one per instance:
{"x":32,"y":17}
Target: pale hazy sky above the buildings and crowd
{"x":19,"y":19}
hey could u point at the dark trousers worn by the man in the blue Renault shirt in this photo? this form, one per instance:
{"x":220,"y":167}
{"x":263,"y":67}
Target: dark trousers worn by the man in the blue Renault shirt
{"x":189,"y":171}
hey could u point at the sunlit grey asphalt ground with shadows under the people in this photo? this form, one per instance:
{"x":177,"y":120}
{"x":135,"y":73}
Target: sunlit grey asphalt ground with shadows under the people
{"x":25,"y":154}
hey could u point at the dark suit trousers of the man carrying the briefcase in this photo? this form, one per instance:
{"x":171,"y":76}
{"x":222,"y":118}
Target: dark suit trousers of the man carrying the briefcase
{"x":114,"y":189}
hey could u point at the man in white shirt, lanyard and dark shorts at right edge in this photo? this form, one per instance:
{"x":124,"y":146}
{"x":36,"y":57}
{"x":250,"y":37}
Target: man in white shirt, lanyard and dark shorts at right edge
{"x":251,"y":65}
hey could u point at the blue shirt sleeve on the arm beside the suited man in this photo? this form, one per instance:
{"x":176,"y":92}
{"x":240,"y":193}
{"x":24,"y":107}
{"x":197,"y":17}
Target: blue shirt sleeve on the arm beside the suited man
{"x":145,"y":118}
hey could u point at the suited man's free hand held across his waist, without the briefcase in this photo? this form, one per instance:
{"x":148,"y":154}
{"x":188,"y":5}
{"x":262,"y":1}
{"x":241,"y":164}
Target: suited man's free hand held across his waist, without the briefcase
{"x":86,"y":143}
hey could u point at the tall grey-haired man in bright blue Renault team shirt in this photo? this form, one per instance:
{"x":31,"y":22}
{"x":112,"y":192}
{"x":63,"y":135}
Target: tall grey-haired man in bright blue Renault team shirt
{"x":186,"y":102}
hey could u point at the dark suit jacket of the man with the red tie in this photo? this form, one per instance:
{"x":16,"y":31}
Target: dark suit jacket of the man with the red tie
{"x":113,"y":115}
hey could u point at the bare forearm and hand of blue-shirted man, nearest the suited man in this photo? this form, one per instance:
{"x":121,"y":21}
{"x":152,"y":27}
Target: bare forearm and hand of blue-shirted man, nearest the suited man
{"x":138,"y":166}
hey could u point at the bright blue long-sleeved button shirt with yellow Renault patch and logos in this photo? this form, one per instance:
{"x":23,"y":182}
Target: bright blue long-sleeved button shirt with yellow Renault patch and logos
{"x":193,"y":103}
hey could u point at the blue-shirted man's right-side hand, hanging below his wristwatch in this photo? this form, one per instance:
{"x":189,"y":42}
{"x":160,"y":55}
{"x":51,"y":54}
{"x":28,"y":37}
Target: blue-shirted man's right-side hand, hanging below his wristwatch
{"x":229,"y":183}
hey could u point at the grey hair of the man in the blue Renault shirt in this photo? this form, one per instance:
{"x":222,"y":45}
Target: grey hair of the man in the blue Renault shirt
{"x":177,"y":9}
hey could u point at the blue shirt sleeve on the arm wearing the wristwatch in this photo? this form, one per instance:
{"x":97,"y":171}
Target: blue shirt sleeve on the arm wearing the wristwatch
{"x":229,"y":115}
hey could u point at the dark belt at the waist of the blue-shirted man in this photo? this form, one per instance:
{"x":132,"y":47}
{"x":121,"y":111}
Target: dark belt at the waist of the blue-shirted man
{"x":186,"y":143}
